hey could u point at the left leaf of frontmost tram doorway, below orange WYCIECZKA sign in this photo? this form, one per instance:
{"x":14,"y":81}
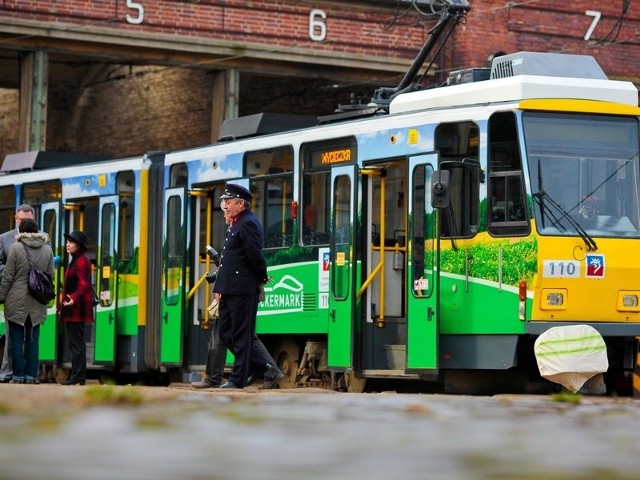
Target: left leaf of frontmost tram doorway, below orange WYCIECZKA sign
{"x":342,"y":271}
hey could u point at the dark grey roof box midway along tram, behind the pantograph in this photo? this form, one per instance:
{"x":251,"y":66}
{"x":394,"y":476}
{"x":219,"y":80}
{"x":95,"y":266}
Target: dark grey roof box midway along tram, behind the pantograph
{"x":263,"y":124}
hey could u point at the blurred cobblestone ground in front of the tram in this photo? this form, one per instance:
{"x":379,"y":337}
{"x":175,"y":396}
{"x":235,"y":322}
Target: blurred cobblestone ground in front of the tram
{"x":101,"y":432}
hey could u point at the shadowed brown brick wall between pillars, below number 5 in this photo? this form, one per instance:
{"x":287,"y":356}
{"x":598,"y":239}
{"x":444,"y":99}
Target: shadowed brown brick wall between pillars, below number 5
{"x":140,"y":109}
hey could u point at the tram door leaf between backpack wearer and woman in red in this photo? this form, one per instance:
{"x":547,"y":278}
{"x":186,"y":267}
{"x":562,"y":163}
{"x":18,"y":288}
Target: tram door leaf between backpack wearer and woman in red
{"x":50,"y":224}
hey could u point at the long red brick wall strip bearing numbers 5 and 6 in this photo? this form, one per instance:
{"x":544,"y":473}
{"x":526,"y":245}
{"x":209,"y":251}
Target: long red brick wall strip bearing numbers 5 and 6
{"x":355,"y":27}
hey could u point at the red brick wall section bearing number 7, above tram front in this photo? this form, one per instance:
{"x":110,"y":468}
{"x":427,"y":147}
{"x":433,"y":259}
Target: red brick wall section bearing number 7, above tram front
{"x":550,"y":27}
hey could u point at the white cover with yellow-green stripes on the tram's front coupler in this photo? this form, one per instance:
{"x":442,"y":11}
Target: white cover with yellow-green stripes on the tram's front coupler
{"x":571,"y":355}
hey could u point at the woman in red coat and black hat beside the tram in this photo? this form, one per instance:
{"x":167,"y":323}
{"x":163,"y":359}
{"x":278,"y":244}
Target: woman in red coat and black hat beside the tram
{"x":77,"y":304}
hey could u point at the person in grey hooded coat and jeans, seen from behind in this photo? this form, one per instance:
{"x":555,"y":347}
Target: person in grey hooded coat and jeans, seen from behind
{"x":22,"y":311}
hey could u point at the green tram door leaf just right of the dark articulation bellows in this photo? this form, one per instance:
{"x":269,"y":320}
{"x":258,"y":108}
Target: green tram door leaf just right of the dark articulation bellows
{"x":173,"y":276}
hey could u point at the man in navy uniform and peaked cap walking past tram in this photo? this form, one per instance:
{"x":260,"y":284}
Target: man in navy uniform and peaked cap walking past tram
{"x":242,"y":270}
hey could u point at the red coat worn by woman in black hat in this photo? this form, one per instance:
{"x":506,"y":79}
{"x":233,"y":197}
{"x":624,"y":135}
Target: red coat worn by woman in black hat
{"x":77,"y":284}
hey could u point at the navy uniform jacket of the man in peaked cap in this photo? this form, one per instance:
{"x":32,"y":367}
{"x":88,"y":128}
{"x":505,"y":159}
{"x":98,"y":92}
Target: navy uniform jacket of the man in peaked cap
{"x":242,"y":265}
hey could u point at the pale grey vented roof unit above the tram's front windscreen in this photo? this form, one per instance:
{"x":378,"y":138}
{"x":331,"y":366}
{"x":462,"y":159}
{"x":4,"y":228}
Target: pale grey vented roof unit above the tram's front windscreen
{"x":546,"y":64}
